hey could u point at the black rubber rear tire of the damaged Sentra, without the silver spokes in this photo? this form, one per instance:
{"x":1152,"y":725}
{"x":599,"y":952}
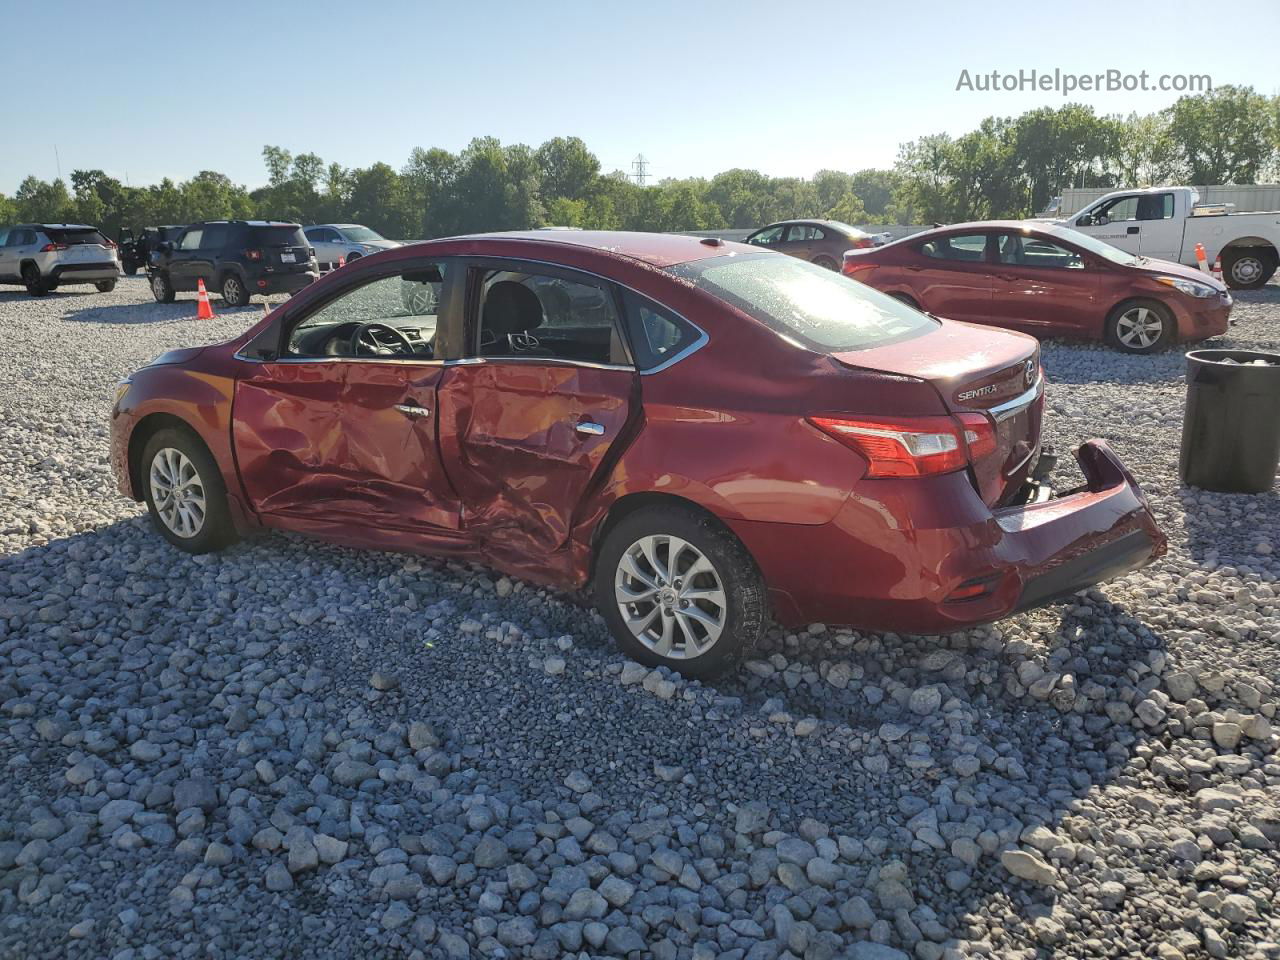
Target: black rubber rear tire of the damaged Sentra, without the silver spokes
{"x":742,"y":618}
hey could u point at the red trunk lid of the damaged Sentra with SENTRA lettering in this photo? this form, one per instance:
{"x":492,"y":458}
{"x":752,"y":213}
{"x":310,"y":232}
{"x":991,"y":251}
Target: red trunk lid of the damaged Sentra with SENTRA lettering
{"x":977,"y":369}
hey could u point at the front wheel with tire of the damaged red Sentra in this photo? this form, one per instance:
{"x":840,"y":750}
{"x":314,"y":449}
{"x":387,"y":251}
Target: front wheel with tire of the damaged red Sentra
{"x":185,"y":493}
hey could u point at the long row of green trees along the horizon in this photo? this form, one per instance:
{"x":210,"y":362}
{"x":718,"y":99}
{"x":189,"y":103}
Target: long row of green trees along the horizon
{"x":1005,"y":168}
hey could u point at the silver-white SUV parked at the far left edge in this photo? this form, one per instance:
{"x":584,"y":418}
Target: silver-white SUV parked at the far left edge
{"x":44,"y":257}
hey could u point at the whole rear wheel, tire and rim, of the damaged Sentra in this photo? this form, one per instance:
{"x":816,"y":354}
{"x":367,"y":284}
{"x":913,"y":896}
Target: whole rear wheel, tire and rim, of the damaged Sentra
{"x":680,"y":591}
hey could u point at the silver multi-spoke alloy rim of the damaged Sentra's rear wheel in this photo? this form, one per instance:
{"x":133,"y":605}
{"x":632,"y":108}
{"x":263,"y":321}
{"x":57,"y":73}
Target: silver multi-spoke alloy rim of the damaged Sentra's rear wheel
{"x":671,"y":597}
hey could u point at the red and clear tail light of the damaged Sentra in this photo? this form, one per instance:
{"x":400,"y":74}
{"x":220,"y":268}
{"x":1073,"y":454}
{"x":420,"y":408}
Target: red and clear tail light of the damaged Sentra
{"x":915,"y":446}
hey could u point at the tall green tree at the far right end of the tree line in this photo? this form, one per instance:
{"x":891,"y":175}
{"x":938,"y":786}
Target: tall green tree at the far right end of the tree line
{"x":1227,"y":136}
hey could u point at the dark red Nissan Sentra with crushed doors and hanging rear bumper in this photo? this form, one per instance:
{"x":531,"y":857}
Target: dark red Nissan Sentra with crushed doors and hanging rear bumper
{"x":702,"y":433}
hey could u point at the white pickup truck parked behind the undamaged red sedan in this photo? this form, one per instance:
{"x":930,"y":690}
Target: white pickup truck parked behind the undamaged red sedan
{"x":1167,"y":223}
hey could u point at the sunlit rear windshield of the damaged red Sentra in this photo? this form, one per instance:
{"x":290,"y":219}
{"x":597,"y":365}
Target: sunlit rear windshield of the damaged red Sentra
{"x":819,"y":308}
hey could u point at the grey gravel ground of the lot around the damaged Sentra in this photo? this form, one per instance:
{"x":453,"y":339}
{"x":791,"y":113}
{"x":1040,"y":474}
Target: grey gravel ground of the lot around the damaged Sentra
{"x":292,"y":749}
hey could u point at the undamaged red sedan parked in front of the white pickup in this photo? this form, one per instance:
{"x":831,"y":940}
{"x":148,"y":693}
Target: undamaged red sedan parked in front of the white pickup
{"x":1046,"y":281}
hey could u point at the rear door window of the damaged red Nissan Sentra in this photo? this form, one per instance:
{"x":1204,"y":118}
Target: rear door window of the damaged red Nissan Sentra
{"x":540,"y":316}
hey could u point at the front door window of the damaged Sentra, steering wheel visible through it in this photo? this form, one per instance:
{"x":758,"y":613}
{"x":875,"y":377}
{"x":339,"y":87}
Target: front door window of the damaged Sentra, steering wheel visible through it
{"x":392,"y":317}
